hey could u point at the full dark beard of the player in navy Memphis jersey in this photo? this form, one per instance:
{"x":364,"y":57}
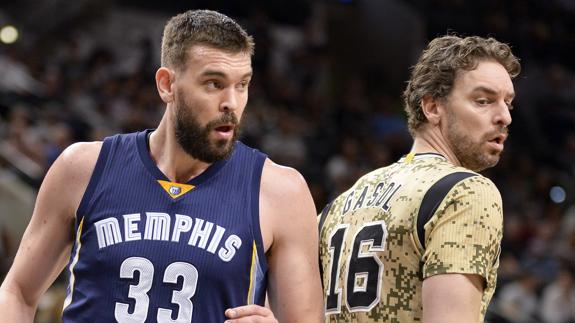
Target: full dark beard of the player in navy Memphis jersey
{"x":195,"y":138}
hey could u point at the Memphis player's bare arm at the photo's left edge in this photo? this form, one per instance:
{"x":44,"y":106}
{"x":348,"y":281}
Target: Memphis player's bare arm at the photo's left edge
{"x":47,"y":242}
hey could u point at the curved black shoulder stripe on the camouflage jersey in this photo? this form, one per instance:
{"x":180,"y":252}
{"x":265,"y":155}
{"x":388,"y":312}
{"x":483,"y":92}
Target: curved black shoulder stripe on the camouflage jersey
{"x":432,"y":199}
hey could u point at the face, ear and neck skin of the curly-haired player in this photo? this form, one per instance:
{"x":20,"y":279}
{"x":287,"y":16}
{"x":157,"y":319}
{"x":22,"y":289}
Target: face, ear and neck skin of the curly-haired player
{"x":477,"y":110}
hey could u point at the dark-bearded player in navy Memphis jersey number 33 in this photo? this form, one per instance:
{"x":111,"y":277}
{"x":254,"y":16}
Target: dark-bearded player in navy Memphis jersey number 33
{"x":178,"y":224}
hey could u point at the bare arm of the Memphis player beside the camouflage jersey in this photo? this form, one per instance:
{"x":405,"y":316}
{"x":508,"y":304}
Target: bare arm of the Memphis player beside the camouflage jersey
{"x":289,"y":229}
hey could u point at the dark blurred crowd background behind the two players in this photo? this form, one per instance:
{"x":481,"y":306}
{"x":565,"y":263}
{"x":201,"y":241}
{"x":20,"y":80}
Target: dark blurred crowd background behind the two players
{"x":325,"y":99}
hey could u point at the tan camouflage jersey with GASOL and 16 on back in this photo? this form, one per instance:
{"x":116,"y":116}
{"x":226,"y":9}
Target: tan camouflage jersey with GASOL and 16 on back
{"x":400,"y":224}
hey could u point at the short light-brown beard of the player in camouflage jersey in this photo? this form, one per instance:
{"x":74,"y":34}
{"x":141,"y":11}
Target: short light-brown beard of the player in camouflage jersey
{"x":471,"y":154}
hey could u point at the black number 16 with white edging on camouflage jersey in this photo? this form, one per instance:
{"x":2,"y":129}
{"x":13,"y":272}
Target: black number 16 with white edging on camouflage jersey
{"x":364,"y":269}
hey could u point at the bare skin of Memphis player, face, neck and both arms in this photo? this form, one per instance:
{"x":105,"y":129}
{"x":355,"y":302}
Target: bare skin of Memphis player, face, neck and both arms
{"x":214,"y":82}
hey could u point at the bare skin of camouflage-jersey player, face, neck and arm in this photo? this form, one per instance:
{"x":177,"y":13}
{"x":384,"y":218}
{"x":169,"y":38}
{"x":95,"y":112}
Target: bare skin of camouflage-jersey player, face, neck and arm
{"x":468,"y":128}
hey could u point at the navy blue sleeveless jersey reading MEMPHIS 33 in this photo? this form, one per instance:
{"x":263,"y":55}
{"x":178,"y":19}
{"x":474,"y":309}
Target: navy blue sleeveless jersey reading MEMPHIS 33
{"x":148,"y":250}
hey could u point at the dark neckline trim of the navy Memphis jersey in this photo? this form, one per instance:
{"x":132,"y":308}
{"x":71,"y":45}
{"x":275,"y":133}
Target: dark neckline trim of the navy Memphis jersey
{"x":146,"y":158}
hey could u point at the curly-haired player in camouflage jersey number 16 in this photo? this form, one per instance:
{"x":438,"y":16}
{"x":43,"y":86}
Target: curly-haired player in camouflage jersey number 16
{"x":419,"y":240}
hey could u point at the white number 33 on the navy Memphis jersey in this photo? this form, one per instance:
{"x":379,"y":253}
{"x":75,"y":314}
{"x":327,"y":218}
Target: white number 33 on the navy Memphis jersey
{"x":139,"y":292}
